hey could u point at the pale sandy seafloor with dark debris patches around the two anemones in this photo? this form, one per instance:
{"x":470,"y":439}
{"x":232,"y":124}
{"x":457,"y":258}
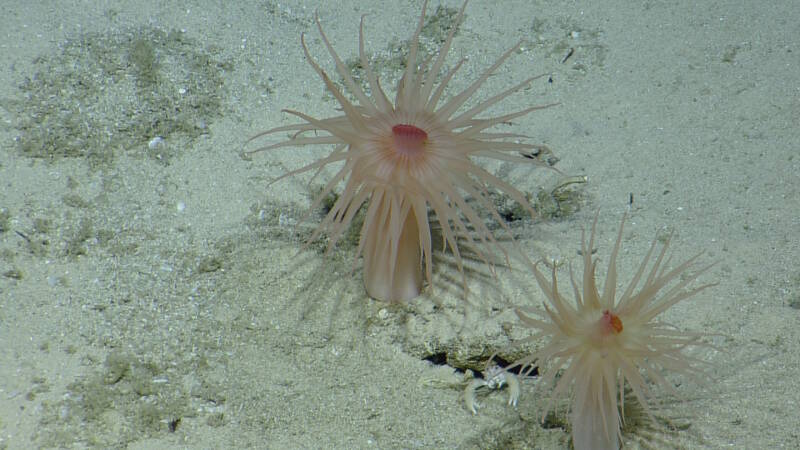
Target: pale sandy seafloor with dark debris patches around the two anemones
{"x":154,"y":297}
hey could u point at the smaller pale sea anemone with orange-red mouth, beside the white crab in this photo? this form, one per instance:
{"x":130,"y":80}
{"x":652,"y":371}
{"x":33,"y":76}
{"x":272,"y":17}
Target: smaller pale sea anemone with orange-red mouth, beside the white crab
{"x":602,"y":341}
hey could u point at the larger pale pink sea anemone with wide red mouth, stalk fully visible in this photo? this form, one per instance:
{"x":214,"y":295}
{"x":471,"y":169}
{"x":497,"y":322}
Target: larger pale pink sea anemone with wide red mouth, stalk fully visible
{"x":402,"y":158}
